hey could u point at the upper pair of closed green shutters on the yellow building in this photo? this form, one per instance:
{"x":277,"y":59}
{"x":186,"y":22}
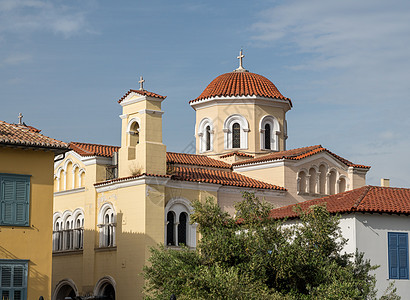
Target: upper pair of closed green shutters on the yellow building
{"x":14,"y":202}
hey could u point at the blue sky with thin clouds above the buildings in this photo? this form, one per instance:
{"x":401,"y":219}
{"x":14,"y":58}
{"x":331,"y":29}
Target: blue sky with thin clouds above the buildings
{"x":345,"y":65}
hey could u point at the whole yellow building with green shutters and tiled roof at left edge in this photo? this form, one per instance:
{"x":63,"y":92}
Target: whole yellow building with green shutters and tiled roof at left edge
{"x":26,"y":211}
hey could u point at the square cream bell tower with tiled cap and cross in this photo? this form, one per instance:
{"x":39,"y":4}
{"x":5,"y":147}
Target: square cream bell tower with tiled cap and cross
{"x":142,"y":150}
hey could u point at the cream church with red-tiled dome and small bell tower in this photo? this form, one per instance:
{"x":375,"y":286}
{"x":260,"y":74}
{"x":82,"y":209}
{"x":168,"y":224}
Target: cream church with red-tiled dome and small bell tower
{"x":112,"y":203}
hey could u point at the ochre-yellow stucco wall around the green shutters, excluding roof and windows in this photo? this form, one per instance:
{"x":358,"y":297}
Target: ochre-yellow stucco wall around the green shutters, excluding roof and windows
{"x":34,"y":242}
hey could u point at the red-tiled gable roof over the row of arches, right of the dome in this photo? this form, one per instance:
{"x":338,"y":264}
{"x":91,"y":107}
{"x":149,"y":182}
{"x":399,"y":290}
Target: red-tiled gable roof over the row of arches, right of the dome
{"x":297,"y":154}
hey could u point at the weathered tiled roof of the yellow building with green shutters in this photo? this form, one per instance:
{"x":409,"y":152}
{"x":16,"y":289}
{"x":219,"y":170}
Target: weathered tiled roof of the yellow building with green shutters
{"x":23,"y":135}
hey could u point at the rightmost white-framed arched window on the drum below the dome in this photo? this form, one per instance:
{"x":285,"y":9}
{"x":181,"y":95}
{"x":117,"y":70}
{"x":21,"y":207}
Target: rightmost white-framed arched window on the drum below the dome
{"x":269,"y":133}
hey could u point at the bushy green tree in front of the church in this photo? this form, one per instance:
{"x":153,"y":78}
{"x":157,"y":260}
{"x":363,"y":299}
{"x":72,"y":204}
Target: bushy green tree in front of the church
{"x":251,"y":256}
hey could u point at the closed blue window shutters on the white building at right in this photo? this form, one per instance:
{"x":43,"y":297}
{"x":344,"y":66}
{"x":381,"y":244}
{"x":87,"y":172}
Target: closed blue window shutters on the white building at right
{"x":390,"y":236}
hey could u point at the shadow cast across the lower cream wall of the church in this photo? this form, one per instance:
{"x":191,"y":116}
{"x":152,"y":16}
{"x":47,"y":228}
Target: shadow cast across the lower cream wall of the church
{"x":96,"y":271}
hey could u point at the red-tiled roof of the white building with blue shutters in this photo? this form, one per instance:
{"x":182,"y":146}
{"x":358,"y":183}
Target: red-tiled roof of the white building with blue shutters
{"x":372,"y":199}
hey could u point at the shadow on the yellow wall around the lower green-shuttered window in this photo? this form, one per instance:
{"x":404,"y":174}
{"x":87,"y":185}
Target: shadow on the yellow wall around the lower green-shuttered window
{"x":38,"y":283}
